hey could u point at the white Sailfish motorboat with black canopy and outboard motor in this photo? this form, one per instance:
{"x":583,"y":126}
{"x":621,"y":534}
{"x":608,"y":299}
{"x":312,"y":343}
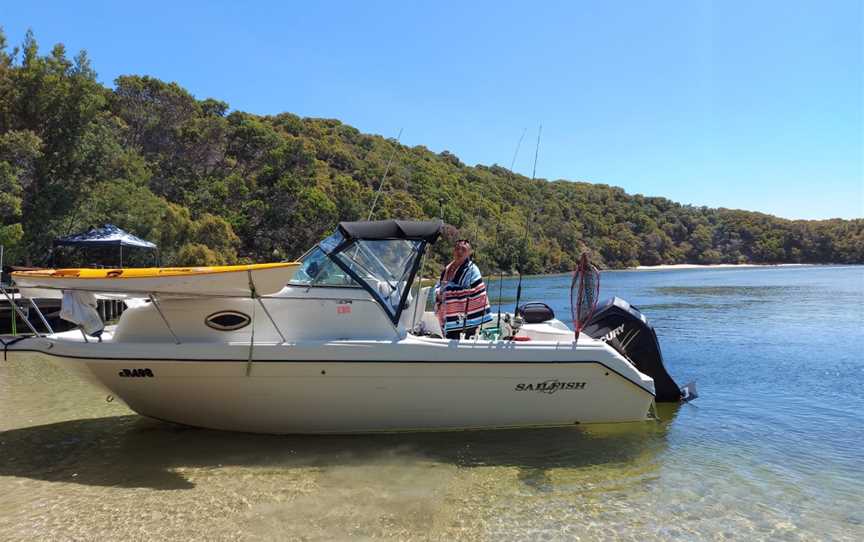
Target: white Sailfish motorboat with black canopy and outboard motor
{"x":350,"y":345}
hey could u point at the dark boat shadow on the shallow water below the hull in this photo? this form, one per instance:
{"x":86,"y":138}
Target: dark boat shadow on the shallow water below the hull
{"x":131,"y":451}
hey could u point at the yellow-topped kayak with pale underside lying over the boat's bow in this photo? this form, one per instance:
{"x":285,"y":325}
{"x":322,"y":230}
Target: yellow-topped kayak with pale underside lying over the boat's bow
{"x":224,"y":280}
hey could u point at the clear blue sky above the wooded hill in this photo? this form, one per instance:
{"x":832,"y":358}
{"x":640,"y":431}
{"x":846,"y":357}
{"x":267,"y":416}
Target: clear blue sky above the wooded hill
{"x":747,"y":105}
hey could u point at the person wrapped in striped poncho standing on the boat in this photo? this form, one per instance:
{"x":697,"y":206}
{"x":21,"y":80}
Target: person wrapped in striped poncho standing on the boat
{"x":462,"y":305}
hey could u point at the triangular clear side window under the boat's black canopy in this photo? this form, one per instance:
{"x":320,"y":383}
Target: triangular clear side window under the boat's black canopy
{"x":384,"y":266}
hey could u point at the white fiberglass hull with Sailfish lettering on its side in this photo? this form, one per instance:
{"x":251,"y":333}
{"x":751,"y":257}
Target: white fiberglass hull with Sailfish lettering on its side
{"x":503,"y":386}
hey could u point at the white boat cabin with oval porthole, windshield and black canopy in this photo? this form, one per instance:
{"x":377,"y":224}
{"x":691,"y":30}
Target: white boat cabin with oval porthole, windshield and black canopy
{"x":359,"y":283}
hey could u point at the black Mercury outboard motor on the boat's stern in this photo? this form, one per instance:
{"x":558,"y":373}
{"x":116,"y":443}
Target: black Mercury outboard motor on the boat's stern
{"x":625,"y":329}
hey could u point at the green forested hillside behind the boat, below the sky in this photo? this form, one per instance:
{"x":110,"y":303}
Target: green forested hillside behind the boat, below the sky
{"x":211,"y":185}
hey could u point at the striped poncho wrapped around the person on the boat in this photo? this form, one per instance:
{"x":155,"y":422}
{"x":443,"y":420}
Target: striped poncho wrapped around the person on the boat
{"x":463,"y":297}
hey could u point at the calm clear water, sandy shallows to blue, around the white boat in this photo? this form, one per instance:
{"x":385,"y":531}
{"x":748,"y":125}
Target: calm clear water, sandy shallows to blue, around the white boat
{"x":773,"y":448}
